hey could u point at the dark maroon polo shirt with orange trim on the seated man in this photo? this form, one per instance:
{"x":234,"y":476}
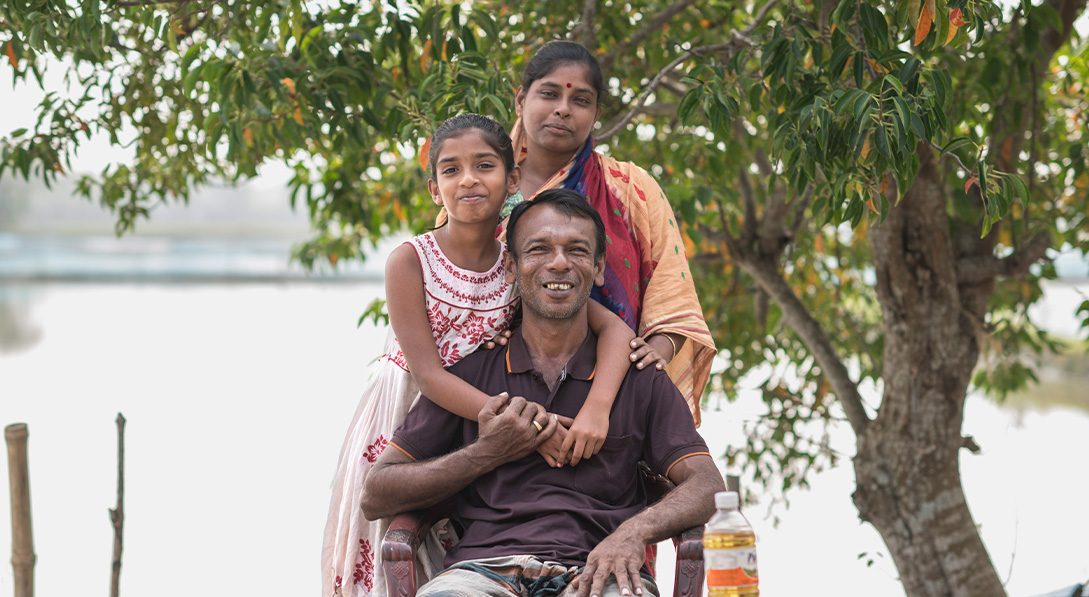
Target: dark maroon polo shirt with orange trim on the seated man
{"x":558,"y":515}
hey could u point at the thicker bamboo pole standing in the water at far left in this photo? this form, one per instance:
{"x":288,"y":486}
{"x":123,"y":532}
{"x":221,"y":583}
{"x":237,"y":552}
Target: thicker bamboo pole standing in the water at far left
{"x":22,"y":535}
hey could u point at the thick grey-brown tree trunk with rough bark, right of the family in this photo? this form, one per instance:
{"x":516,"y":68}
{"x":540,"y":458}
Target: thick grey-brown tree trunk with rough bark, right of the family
{"x":908,"y":462}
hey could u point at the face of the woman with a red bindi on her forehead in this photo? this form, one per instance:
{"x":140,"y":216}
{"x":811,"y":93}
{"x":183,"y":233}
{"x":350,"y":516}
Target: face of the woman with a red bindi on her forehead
{"x":558,"y":111}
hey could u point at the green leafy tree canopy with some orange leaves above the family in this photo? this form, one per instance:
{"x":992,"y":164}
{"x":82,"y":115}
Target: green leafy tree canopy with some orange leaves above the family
{"x":784,"y":132}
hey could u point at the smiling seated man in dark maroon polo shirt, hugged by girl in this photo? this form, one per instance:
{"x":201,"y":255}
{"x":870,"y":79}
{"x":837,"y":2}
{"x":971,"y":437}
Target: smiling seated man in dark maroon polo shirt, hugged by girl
{"x":530,"y":528}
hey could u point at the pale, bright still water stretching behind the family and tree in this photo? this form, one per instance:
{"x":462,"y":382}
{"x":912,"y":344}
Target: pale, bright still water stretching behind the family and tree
{"x":238,"y":396}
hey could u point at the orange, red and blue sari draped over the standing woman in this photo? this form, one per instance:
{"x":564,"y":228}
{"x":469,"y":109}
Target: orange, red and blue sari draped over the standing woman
{"x":648,"y":284}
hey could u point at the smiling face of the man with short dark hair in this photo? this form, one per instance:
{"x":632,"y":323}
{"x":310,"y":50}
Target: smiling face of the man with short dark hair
{"x":555,"y":267}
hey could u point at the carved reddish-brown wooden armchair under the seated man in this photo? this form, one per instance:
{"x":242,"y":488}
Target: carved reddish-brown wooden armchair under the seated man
{"x":408,"y":531}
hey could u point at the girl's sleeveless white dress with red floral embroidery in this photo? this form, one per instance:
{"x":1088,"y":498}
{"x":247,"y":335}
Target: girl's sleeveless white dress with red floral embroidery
{"x":466,"y":309}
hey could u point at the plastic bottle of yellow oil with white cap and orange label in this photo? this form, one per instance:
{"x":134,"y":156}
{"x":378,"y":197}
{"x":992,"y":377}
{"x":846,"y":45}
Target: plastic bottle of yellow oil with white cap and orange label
{"x":730,"y":551}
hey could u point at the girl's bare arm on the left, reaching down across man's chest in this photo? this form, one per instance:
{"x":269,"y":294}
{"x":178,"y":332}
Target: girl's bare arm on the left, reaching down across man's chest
{"x":408,"y":309}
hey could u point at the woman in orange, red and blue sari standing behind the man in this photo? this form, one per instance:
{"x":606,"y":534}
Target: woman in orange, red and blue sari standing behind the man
{"x":648,"y":284}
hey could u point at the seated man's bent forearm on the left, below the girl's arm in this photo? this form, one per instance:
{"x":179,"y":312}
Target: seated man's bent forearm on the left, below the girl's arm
{"x":405,"y":485}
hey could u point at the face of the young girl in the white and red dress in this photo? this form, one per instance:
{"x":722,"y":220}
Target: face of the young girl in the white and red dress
{"x":470,"y":179}
